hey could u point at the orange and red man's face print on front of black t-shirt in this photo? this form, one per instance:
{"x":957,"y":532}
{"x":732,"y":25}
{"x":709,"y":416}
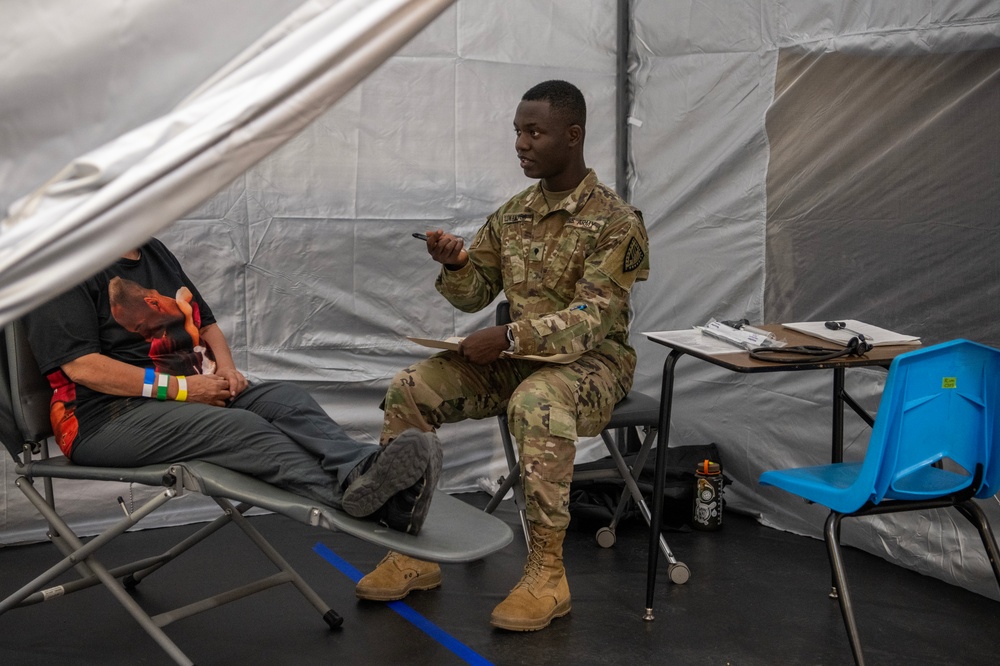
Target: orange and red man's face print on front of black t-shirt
{"x":169,"y":323}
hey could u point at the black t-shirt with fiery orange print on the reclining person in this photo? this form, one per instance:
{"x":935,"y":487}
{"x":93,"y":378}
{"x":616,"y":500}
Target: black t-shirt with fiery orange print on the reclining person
{"x":145,"y":312}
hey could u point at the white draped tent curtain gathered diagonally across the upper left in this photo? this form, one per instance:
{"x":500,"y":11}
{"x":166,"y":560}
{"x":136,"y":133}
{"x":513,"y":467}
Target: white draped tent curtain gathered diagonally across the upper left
{"x":117,"y":197}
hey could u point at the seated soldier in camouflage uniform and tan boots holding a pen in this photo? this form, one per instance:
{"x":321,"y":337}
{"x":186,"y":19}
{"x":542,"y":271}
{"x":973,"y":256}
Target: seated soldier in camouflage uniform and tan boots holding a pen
{"x":565,"y":253}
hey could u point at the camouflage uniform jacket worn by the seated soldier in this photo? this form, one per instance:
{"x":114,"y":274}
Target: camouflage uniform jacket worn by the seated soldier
{"x":566,"y":272}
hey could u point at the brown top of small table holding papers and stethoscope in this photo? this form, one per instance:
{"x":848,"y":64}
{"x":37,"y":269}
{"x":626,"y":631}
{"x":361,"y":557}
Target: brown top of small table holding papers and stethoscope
{"x":740,"y":361}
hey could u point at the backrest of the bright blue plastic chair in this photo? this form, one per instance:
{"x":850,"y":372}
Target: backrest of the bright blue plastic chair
{"x":936,"y":423}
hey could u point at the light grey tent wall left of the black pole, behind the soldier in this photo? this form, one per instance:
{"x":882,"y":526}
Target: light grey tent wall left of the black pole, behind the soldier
{"x":307,"y":258}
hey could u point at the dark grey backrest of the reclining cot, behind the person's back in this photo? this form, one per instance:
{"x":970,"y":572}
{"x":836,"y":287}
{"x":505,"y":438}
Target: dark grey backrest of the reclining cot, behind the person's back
{"x":29,"y":391}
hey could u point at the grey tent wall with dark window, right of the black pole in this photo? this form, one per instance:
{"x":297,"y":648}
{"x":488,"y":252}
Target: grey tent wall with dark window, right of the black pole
{"x":702,"y":156}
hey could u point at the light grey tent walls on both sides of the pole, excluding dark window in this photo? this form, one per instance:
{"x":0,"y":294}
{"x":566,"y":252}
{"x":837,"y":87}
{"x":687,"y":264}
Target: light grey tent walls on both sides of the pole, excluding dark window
{"x":308,"y":260}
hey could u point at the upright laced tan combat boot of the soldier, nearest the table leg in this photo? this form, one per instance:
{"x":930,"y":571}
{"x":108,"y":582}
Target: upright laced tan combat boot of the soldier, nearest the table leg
{"x":542,"y":593}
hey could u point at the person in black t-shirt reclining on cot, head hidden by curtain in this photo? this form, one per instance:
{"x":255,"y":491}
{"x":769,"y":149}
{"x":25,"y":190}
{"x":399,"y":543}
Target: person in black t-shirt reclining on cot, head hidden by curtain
{"x":140,"y":377}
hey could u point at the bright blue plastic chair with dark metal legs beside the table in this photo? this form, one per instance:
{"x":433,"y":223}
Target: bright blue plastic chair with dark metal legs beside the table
{"x":935,"y":443}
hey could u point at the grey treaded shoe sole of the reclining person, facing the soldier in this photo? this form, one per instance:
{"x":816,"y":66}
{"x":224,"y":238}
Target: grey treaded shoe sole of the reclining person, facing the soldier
{"x":398,"y":467}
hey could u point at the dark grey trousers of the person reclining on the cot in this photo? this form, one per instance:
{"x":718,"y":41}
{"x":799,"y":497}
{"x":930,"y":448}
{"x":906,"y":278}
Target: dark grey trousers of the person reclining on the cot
{"x":274,"y":431}
